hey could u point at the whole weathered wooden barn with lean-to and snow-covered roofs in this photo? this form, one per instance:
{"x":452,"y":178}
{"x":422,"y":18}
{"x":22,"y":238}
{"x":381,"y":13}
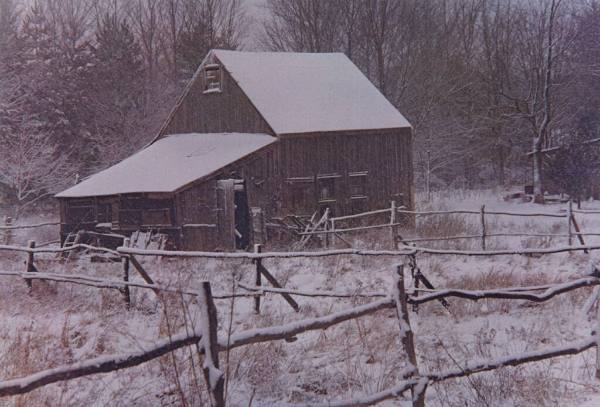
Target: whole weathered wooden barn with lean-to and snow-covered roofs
{"x":254,"y":135}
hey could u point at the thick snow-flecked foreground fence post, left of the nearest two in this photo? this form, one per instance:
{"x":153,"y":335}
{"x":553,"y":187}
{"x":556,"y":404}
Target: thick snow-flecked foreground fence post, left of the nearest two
{"x":213,"y":376}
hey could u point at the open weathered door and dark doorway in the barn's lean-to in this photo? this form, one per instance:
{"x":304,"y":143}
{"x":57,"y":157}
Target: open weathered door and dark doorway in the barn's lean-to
{"x":234,"y":216}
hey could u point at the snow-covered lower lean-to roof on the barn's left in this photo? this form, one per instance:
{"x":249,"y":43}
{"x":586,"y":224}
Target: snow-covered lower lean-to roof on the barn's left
{"x":170,"y":163}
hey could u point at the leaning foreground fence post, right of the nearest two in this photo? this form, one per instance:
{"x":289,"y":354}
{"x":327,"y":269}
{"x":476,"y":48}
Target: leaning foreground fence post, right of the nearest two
{"x":406,"y":334}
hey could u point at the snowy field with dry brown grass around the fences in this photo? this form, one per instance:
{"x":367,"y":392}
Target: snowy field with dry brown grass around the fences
{"x":56,"y":324}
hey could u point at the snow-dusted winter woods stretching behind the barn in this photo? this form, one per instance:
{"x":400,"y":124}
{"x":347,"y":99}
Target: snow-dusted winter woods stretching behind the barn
{"x":83,"y":83}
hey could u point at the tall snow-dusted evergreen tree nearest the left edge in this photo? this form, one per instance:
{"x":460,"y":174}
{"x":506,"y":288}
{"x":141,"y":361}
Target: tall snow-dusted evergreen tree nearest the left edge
{"x":52,"y":66}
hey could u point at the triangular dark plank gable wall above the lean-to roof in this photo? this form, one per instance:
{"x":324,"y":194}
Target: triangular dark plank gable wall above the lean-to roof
{"x":228,"y":111}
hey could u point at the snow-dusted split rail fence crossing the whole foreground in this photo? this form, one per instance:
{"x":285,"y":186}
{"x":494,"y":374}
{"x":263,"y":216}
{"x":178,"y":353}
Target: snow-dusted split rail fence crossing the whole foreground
{"x":415,"y":379}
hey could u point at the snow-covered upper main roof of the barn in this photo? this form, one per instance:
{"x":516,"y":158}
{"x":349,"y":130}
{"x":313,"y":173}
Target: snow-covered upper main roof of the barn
{"x":310,"y":92}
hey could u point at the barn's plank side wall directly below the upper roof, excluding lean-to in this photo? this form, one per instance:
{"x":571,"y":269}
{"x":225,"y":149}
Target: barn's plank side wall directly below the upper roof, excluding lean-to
{"x":338,"y":161}
